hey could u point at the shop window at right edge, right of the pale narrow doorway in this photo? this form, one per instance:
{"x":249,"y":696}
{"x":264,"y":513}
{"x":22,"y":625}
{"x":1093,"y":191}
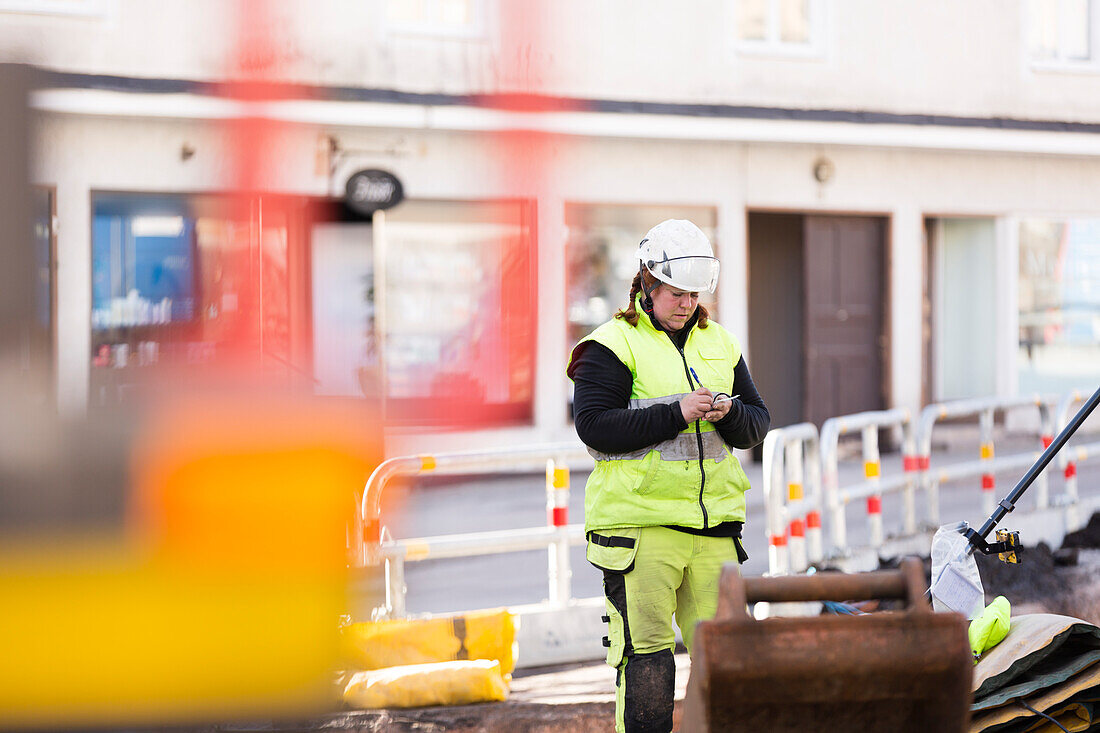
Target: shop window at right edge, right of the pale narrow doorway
{"x":1060,"y":304}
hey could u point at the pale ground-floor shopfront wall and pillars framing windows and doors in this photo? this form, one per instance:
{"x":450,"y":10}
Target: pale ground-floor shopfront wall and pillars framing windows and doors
{"x":82,"y":155}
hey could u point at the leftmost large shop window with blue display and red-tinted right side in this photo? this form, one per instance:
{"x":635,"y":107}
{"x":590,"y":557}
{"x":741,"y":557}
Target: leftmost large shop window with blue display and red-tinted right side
{"x":186,"y":281}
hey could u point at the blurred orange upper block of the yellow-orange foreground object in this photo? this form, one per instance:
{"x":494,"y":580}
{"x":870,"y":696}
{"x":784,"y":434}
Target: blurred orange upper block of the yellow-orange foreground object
{"x":244,"y":485}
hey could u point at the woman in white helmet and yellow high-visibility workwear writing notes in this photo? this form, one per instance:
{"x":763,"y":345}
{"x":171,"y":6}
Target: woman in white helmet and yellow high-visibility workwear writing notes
{"x":662,"y":396}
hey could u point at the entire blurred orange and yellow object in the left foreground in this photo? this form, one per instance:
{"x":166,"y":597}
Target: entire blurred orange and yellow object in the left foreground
{"x":223,"y":601}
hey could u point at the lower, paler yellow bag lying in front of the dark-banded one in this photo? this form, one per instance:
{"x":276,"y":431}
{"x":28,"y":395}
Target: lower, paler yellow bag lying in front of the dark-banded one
{"x":416,"y":686}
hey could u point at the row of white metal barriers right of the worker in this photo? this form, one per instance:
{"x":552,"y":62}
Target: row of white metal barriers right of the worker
{"x":787,"y":450}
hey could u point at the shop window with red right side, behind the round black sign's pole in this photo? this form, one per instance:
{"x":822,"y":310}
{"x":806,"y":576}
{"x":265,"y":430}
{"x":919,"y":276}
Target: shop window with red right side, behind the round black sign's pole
{"x":453,"y":338}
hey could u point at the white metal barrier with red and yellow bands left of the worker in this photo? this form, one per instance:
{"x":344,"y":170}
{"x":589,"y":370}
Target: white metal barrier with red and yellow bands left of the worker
{"x":372,"y":543}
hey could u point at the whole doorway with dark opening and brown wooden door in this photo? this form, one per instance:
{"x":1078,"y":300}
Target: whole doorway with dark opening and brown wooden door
{"x":818,"y":314}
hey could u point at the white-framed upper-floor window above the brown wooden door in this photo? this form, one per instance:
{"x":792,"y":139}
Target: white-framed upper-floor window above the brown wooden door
{"x":784,"y":27}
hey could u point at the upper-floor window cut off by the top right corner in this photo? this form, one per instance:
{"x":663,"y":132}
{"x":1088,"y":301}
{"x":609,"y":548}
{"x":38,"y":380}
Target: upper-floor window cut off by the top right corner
{"x":1063,"y":32}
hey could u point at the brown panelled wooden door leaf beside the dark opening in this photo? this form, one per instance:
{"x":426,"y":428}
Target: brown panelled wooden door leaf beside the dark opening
{"x":844,"y":279}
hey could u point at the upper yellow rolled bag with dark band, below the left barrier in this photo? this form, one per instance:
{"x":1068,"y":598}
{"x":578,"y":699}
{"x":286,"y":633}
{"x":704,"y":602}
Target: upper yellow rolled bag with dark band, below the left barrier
{"x":474,"y":636}
